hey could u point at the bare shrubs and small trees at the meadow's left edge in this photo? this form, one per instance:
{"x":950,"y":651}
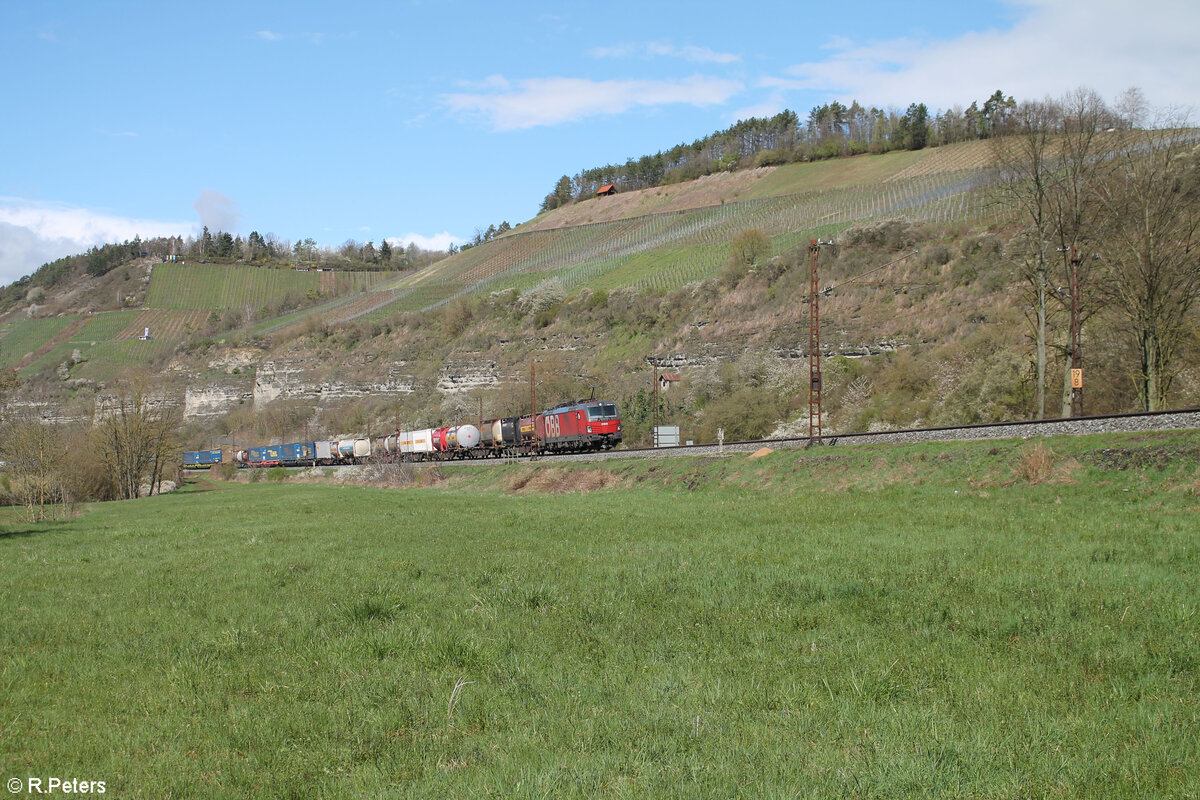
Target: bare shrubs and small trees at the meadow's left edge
{"x":130,"y":449}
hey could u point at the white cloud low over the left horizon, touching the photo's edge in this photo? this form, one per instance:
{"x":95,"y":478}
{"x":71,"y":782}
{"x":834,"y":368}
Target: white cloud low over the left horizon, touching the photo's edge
{"x":35,"y":233}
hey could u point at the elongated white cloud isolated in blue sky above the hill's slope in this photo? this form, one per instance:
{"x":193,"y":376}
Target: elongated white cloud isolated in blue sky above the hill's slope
{"x":554,"y":101}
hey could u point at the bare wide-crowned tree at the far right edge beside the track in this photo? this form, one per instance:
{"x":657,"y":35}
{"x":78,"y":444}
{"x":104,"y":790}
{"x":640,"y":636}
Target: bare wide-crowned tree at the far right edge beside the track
{"x":1150,"y":200}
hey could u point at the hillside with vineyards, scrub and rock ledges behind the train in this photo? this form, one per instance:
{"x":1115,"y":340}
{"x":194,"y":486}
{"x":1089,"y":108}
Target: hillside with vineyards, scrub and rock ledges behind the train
{"x":927,"y":323}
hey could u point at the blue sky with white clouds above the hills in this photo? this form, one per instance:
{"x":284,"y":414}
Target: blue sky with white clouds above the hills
{"x":423,"y":122}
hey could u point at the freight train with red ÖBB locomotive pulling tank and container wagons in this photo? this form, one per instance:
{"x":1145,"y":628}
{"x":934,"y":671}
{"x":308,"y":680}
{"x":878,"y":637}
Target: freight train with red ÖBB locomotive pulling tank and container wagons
{"x":581,"y":426}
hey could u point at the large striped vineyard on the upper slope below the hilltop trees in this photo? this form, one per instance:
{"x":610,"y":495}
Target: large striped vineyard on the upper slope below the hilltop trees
{"x":665,"y":251}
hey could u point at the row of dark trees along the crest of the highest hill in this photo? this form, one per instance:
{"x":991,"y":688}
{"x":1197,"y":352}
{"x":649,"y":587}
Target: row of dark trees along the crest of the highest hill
{"x":830,"y":131}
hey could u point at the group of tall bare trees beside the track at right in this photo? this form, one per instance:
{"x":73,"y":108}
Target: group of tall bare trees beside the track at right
{"x":1123,"y":185}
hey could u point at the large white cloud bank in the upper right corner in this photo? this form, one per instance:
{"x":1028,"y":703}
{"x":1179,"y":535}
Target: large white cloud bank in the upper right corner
{"x":1055,"y":46}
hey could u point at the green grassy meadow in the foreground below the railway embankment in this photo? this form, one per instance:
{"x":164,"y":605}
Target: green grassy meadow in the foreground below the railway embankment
{"x":986,"y":621}
